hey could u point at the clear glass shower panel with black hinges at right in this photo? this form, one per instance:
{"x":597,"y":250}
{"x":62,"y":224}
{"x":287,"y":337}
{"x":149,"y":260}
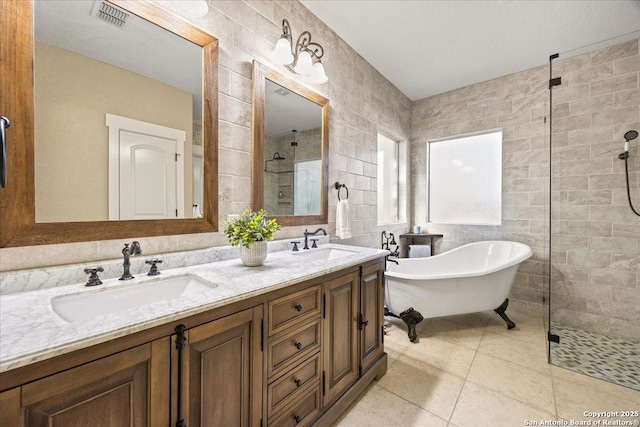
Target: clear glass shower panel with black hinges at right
{"x":594,"y":278}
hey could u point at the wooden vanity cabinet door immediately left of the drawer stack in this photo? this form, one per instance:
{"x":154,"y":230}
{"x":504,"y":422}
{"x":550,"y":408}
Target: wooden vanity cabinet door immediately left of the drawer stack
{"x":222,"y":372}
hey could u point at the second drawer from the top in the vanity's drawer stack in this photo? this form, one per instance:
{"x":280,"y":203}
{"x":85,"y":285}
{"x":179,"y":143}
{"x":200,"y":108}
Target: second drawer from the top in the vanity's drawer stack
{"x":293,"y":346}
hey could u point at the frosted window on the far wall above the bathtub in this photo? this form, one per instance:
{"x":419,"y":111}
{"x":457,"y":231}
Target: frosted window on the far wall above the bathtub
{"x":464,"y":175}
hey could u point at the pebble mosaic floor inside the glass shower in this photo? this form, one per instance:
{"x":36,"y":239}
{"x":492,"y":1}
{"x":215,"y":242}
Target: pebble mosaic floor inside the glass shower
{"x":610,"y":359}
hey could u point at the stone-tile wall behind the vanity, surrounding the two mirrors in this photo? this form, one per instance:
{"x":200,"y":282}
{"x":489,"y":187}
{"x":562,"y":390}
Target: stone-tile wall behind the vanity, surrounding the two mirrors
{"x":361,"y":99}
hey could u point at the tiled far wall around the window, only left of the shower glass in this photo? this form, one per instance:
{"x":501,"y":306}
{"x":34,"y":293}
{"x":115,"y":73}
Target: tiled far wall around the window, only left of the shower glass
{"x":518,"y":104}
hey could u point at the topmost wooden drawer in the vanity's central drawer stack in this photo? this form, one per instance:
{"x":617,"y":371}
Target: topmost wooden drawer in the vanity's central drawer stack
{"x":293,"y":309}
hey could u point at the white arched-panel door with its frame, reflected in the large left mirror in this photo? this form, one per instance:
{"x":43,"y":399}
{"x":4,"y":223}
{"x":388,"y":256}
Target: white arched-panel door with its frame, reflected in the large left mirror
{"x":146,"y":170}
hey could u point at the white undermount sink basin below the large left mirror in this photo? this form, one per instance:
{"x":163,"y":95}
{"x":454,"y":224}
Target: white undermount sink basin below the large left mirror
{"x":85,"y":306}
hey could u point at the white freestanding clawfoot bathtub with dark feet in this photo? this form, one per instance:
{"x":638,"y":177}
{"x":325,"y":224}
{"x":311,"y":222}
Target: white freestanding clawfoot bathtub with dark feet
{"x":472,"y":278}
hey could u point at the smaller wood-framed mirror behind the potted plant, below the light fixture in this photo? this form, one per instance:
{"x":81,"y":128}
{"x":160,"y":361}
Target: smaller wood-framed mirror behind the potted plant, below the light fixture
{"x":290,"y":149}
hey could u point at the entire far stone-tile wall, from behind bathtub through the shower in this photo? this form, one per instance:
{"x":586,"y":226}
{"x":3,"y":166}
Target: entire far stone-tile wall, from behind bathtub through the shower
{"x":596,"y":240}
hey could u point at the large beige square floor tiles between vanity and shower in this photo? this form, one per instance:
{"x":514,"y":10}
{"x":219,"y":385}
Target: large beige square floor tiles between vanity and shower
{"x":471,"y":371}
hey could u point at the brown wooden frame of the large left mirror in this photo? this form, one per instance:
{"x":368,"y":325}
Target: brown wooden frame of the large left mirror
{"x":17,"y":199}
